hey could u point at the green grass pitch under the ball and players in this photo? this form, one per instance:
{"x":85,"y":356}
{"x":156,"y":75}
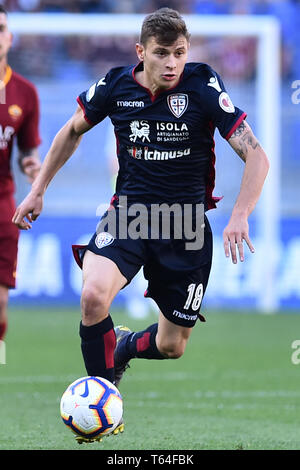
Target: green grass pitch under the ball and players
{"x":235,"y":387}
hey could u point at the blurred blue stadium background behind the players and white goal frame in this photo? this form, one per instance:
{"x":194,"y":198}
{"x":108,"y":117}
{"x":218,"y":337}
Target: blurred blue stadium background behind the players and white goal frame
{"x":63,"y":66}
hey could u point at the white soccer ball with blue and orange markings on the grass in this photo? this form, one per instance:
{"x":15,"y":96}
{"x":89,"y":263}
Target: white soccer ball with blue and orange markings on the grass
{"x":91,"y":407}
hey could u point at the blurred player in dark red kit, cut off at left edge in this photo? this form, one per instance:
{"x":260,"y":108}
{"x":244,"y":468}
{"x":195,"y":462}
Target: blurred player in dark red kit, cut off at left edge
{"x":19,"y":118}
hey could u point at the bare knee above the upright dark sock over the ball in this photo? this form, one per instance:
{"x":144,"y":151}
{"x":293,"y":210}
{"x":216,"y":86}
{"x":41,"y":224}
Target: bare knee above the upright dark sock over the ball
{"x":95,"y":304}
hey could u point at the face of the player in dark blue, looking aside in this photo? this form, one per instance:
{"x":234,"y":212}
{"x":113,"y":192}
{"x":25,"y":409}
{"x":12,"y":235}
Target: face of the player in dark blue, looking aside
{"x":163,"y":65}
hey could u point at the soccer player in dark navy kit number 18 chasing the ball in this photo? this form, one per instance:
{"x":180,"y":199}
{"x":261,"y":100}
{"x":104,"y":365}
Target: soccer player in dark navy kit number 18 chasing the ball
{"x":164,"y":111}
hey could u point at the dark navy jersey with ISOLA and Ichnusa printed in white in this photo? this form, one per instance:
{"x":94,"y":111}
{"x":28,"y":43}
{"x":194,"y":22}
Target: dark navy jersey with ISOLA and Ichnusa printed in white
{"x":165,"y":143}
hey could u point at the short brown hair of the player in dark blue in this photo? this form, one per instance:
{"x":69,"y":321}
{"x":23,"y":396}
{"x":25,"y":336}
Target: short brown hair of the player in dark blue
{"x":166,"y":25}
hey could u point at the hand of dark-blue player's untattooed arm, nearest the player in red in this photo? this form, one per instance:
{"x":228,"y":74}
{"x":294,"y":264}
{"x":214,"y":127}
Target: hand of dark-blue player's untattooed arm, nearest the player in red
{"x":29,"y":209}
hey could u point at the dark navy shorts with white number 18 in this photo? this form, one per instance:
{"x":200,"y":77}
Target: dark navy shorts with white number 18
{"x":177,"y":278}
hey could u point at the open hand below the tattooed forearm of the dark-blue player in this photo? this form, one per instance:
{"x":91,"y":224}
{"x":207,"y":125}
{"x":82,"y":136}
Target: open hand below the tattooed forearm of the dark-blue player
{"x":234,"y":235}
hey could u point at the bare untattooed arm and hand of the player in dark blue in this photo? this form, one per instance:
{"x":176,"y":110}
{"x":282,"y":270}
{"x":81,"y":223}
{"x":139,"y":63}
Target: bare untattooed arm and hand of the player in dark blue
{"x":63,"y":146}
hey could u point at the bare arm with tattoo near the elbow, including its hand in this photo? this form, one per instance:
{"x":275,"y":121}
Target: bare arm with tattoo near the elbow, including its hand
{"x":246,"y":145}
